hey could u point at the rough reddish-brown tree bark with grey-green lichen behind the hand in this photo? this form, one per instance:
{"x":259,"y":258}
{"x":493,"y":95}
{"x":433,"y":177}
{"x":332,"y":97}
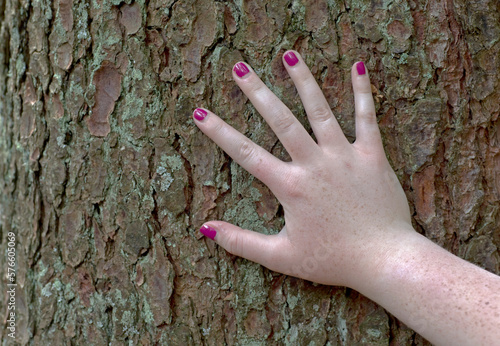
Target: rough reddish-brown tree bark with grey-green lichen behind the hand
{"x":105,"y":179}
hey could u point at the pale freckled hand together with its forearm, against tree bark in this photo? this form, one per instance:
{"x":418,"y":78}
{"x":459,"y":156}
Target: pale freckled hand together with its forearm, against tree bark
{"x":347,"y":220}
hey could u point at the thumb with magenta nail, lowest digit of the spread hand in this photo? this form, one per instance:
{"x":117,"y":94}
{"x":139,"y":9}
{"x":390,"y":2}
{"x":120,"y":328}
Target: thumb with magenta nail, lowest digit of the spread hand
{"x":257,"y":247}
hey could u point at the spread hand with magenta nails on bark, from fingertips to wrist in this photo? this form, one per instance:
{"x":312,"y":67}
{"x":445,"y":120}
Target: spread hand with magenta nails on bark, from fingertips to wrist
{"x":343,"y":204}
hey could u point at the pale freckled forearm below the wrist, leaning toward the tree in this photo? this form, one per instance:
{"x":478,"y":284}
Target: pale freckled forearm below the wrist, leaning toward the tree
{"x":444,"y":298}
